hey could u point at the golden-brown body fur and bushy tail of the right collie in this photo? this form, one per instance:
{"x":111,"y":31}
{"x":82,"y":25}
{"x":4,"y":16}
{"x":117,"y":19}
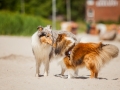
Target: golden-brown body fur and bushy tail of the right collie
{"x":91,"y":55}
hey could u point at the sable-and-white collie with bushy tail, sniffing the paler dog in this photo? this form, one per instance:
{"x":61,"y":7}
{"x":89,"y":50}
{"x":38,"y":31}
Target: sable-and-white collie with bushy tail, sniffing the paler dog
{"x":77,"y":55}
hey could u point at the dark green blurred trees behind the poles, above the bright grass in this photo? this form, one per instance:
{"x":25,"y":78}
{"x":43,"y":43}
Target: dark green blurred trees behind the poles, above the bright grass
{"x":44,"y":7}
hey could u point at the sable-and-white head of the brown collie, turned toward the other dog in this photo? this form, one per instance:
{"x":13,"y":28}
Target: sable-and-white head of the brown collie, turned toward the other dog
{"x":62,"y":44}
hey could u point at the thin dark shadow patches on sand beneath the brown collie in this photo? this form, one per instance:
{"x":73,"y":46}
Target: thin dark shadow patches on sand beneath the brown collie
{"x":82,"y":77}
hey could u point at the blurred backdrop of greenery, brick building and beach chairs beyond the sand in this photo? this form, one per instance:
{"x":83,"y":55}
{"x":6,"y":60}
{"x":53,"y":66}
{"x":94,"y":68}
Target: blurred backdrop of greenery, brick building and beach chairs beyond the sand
{"x":95,"y":17}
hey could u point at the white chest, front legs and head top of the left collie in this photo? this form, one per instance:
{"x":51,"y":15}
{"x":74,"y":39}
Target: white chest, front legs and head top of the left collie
{"x":42,"y":51}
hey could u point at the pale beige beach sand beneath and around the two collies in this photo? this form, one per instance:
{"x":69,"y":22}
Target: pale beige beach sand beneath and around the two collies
{"x":17,"y":69}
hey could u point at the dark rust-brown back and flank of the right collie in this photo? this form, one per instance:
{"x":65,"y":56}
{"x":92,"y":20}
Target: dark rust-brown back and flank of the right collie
{"x":80,"y":50}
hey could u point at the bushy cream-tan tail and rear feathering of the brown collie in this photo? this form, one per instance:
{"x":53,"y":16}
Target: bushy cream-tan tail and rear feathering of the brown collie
{"x":107,"y":52}
